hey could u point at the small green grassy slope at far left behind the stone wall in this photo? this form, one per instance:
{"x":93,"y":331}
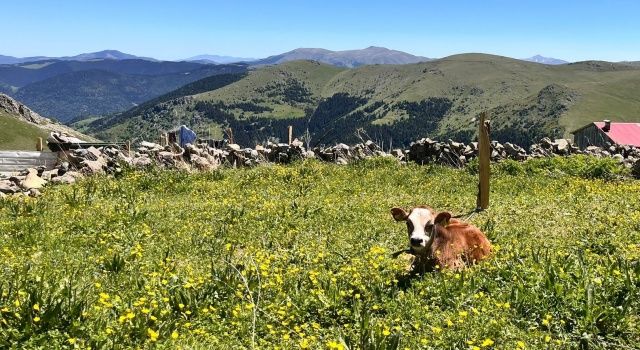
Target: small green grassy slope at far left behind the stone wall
{"x":18,"y":135}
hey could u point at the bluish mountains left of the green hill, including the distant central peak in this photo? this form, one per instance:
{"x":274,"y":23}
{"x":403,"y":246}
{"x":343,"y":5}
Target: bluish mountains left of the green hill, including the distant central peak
{"x":68,"y":88}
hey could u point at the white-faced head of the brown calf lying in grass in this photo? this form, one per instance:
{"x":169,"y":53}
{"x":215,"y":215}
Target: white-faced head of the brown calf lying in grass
{"x":420,"y":222}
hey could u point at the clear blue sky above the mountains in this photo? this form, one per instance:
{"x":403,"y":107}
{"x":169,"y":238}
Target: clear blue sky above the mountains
{"x":571,"y":30}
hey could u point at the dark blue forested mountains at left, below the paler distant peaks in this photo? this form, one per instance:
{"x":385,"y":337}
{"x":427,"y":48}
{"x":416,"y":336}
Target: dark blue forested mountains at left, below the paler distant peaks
{"x":67,"y":90}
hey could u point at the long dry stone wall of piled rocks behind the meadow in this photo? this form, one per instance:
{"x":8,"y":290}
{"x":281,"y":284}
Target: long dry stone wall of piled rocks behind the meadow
{"x":203,"y":157}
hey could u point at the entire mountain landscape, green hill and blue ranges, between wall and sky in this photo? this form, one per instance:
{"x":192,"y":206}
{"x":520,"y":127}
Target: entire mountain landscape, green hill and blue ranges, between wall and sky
{"x":329,"y":96}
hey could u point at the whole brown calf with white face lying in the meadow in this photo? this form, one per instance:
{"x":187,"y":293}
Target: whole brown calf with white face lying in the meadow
{"x":438,"y":241}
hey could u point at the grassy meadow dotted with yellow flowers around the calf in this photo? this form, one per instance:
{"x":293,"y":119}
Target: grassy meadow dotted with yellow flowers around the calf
{"x":299,"y":256}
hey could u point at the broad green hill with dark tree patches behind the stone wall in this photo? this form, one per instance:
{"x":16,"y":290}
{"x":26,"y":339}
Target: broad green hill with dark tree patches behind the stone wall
{"x":400,"y":103}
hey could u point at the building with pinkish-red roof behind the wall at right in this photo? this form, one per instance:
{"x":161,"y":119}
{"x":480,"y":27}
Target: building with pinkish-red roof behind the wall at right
{"x":603,"y":133}
